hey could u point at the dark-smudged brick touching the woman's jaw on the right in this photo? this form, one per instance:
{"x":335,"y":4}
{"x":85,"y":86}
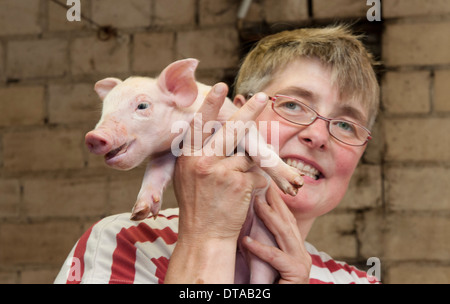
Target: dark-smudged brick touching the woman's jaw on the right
{"x":364,"y":189}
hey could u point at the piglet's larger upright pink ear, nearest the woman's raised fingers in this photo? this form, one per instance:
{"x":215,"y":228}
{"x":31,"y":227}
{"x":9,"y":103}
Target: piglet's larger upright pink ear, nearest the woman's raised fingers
{"x":178,"y":80}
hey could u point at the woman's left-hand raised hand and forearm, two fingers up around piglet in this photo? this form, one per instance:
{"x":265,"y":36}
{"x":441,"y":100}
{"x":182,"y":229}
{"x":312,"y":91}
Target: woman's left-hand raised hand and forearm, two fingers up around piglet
{"x":213,"y":194}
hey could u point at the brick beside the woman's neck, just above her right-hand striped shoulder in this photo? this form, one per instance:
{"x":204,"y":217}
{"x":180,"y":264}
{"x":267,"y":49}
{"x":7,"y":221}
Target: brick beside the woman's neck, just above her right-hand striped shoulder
{"x":334,"y":234}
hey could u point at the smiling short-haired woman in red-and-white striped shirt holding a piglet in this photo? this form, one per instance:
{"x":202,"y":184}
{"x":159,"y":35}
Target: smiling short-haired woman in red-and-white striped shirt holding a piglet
{"x":320,"y":86}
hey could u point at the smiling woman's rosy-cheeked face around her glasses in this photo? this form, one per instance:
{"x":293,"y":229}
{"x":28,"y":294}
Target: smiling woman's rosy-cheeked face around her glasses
{"x":313,"y":146}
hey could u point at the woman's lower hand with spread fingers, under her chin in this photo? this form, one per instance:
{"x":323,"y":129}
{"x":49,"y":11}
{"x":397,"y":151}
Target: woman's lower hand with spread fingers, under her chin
{"x":291,"y":259}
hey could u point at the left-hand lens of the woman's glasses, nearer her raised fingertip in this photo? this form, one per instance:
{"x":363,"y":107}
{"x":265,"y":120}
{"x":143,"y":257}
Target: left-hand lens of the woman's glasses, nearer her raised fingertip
{"x":293,"y":110}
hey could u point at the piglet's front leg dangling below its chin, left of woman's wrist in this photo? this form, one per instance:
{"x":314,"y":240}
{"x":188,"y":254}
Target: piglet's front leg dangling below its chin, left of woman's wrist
{"x":158,"y":173}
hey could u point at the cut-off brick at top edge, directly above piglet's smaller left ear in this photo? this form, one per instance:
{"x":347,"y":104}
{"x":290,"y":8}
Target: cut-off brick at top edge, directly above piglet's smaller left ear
{"x":122,"y":14}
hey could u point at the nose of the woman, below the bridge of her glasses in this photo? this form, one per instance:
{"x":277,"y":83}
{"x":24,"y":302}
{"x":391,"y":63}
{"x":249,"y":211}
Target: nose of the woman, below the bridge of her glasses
{"x":316,"y":135}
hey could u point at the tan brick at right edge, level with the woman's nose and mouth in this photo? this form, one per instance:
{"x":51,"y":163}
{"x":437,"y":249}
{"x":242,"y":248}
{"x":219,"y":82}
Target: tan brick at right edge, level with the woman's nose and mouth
{"x":417,"y":139}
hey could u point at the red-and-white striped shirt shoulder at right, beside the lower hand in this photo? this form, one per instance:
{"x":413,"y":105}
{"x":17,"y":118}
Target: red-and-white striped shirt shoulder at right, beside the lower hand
{"x":325,"y":270}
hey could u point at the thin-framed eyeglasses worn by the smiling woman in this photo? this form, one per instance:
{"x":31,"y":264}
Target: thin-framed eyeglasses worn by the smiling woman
{"x":295,"y":111}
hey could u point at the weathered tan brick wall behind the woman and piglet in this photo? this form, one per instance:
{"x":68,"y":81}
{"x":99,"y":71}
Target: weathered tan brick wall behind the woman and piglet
{"x":52,"y":189}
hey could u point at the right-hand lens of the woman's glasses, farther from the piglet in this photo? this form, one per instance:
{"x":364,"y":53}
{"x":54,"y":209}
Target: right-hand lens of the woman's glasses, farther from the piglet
{"x":348,"y":132}
